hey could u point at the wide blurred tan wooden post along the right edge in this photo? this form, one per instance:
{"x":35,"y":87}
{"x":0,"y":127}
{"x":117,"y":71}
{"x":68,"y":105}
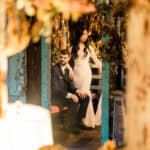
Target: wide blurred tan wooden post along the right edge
{"x":137,"y":126}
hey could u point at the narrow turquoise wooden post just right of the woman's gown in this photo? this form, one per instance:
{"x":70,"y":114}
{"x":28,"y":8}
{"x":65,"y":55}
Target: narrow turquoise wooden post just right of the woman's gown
{"x":105,"y":102}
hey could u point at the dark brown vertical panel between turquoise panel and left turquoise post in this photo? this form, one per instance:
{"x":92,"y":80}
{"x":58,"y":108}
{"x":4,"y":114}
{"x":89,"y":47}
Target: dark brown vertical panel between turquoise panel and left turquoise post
{"x":33,"y":54}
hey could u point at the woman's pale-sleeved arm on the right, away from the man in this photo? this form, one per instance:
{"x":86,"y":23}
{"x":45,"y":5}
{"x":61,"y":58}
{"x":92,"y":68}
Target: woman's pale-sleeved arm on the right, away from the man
{"x":95,"y":59}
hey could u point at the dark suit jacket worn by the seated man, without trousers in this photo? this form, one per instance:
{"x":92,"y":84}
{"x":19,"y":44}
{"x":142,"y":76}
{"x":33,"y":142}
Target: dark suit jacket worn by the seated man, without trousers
{"x":60,"y":85}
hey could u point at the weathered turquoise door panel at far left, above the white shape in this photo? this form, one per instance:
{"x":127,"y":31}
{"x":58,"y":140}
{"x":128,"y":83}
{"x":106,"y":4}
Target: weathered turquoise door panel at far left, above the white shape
{"x":16,"y":77}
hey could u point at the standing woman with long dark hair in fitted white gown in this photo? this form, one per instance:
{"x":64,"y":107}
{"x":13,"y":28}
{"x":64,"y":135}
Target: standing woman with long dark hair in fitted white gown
{"x":81,"y":53}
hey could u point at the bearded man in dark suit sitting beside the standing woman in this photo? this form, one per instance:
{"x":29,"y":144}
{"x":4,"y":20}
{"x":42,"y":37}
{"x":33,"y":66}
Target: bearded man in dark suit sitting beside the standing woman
{"x":65,"y":94}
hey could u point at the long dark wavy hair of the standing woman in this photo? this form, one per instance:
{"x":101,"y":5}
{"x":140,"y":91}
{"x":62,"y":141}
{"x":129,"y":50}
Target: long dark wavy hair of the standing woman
{"x":76,"y":30}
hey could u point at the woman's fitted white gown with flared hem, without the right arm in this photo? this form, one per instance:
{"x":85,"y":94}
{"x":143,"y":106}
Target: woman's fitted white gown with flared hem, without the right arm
{"x":82,"y":80}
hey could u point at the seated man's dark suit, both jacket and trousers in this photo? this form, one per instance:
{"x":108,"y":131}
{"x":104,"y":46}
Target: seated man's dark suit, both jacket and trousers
{"x":61,"y":84}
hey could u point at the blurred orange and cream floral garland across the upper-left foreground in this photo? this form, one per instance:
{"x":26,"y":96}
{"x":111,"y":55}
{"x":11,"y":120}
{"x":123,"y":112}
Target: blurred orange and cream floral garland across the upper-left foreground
{"x":23,"y":21}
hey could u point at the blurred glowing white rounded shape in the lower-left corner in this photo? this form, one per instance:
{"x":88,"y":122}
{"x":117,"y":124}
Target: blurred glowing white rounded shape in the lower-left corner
{"x":25,"y":127}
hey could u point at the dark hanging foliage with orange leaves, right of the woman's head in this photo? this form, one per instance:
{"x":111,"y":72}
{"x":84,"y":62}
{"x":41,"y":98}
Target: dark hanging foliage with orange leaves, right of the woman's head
{"x":109,"y":31}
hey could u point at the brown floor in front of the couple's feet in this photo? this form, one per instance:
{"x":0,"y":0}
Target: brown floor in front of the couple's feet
{"x":86,"y":140}
